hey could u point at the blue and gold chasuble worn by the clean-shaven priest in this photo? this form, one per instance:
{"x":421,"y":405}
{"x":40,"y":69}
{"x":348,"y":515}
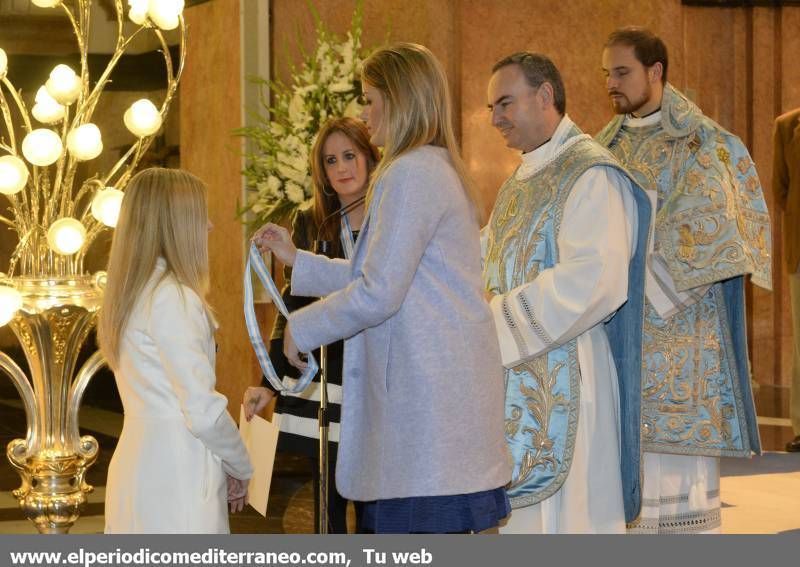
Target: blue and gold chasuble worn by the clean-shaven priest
{"x":543,"y":392}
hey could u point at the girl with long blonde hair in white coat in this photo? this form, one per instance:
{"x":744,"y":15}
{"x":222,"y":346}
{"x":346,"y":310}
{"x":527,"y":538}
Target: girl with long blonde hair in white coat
{"x":180,"y":458}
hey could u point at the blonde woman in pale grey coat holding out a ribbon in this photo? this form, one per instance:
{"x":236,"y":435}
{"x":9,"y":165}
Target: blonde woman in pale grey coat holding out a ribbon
{"x":422,"y":417}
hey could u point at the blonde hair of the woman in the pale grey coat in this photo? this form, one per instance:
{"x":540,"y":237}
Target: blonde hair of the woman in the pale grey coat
{"x":417,"y":108}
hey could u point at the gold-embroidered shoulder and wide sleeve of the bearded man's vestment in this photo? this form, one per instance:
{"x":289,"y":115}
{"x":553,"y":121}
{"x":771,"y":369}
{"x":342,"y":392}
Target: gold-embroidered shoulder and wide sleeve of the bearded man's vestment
{"x":711,"y":224}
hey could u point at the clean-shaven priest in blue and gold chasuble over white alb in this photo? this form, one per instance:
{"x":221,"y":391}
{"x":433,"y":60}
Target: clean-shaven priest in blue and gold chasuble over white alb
{"x":564,"y":264}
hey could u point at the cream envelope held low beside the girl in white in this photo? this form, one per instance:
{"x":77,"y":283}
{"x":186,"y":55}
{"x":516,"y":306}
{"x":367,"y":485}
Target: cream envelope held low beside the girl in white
{"x":261,"y":440}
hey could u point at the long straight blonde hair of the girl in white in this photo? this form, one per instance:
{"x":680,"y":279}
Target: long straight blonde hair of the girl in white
{"x":164,"y":214}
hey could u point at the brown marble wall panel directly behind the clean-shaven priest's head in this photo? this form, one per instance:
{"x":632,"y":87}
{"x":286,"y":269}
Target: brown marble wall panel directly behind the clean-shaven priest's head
{"x":572,"y":35}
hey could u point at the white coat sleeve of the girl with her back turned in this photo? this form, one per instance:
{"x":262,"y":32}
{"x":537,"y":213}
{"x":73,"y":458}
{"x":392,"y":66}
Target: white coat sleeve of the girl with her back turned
{"x":182,"y":333}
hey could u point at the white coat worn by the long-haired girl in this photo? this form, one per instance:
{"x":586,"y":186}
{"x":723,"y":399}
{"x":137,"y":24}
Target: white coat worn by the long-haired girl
{"x":178,"y":440}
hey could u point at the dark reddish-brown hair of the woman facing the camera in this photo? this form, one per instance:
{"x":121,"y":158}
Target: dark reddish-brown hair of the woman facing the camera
{"x":325,"y":198}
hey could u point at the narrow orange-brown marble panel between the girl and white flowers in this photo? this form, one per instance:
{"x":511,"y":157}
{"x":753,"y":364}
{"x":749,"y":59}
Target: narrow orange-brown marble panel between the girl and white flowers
{"x":210,"y":109}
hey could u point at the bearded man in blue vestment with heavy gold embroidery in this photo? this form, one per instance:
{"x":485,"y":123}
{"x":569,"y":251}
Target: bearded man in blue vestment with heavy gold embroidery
{"x":710,"y":229}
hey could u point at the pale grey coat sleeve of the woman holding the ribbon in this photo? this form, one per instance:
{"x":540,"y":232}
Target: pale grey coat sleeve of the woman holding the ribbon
{"x":411,"y":203}
